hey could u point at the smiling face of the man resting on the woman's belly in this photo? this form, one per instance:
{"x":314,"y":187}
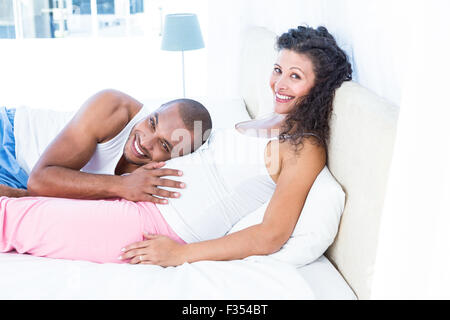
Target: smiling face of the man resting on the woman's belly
{"x":159,"y":137}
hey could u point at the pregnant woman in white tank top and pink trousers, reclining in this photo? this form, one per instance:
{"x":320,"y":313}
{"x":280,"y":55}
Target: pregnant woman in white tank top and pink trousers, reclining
{"x":309,"y":68}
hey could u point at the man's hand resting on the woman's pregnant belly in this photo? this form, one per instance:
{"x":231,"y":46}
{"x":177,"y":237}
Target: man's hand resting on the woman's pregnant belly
{"x":143,"y":184}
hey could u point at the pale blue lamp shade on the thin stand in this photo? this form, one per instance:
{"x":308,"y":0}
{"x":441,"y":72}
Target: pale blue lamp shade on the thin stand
{"x":182,"y":33}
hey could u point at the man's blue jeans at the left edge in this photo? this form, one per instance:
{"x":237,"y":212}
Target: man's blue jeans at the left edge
{"x":11,"y":174}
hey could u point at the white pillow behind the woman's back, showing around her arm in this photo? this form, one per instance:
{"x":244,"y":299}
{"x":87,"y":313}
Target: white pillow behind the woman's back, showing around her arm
{"x":317,"y":225}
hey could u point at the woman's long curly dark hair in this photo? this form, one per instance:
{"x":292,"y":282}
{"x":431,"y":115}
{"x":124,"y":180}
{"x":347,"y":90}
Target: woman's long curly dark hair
{"x":311,"y":115}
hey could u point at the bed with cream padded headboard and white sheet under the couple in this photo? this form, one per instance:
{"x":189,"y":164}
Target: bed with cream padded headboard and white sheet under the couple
{"x":339,"y":270}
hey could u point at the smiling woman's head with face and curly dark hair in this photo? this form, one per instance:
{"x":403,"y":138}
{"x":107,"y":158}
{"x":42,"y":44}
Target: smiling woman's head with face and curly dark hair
{"x":309,"y":69}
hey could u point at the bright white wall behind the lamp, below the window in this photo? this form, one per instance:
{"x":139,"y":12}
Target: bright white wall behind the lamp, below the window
{"x":62,"y":73}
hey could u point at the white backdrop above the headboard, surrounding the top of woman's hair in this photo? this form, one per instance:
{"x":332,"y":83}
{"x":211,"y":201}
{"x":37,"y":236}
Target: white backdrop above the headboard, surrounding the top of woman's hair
{"x":374,"y":32}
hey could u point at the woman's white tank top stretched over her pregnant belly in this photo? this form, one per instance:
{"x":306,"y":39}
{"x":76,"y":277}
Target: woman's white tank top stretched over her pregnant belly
{"x":226,"y":179}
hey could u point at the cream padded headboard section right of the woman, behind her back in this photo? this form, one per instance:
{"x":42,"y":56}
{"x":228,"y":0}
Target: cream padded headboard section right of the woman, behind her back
{"x":362,"y":138}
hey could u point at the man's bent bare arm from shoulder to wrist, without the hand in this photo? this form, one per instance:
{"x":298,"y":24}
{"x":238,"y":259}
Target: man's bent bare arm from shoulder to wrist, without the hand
{"x":57,"y":173}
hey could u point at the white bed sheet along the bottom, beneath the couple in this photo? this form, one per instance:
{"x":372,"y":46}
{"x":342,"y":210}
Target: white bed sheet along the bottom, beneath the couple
{"x":29,"y":277}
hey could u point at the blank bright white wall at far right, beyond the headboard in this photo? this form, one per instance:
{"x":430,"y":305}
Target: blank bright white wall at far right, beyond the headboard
{"x":413,"y":259}
